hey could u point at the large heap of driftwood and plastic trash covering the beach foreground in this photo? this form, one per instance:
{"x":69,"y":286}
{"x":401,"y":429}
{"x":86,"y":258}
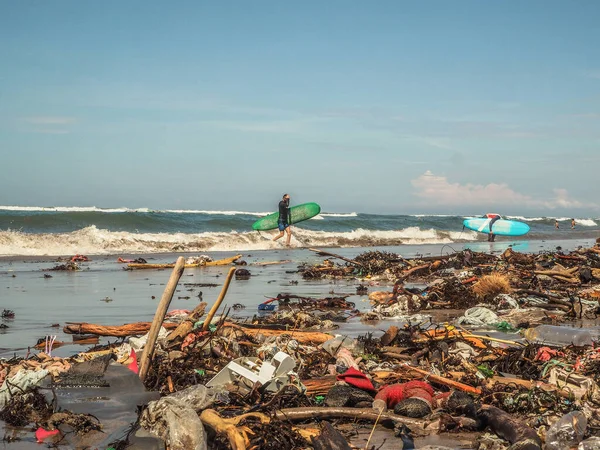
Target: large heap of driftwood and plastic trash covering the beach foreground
{"x":505,"y":372}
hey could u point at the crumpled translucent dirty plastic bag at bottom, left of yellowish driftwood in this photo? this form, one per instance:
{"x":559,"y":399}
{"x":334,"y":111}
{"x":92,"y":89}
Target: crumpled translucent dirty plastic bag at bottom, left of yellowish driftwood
{"x":174,"y":418}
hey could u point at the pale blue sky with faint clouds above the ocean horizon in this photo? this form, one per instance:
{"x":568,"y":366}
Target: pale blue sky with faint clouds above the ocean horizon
{"x":389,"y":106}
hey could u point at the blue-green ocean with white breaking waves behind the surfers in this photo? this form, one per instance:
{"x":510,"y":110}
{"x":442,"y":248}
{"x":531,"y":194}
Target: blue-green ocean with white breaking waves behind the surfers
{"x":53,"y":231}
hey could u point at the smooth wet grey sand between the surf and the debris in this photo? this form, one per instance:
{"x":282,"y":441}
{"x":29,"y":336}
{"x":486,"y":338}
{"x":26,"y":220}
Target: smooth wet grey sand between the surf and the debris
{"x":40,"y":302}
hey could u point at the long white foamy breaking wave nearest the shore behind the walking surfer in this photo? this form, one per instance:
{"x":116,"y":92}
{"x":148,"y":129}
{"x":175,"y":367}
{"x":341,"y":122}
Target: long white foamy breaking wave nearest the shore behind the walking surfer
{"x":94,"y":241}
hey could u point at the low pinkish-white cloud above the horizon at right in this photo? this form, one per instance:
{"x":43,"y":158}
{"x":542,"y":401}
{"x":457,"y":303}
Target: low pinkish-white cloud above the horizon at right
{"x":438,"y":190}
